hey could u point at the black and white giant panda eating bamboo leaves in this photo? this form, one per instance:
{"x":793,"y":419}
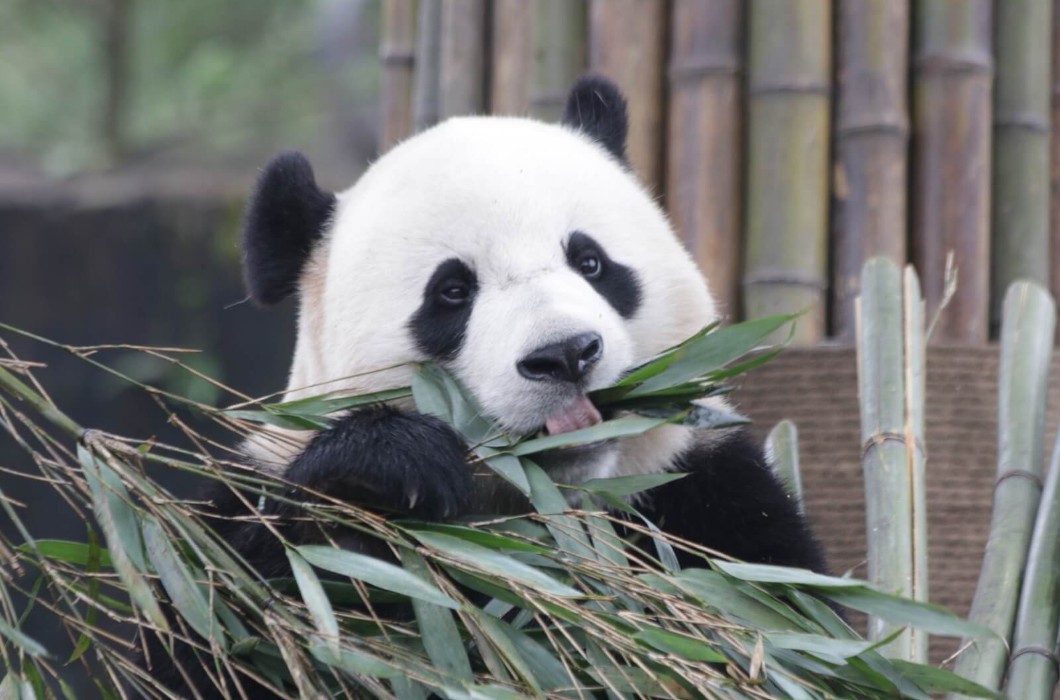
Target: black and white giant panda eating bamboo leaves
{"x":527,"y":259}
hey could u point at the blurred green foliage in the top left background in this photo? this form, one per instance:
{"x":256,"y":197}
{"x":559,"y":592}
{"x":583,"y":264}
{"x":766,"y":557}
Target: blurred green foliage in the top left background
{"x":202,"y":80}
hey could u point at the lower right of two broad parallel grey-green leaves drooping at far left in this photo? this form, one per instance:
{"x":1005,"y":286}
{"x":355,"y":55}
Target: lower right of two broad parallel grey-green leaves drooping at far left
{"x":182,"y":586}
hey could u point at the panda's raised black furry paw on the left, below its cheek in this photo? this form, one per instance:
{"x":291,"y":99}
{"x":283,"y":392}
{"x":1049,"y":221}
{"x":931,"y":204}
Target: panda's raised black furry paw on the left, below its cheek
{"x":390,"y":460}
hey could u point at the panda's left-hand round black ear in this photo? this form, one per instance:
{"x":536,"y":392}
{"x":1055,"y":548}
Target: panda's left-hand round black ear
{"x":286,"y":217}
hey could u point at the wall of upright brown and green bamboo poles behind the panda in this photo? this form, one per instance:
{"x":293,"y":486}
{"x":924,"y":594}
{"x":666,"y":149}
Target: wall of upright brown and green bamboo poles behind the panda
{"x":789,"y":139}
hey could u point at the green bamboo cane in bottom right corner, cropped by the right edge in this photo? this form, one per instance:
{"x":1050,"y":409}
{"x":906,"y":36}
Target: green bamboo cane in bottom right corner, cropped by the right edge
{"x":1033,"y":671}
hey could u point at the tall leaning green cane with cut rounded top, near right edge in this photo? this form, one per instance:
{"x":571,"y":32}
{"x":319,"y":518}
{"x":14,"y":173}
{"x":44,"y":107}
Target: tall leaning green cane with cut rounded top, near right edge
{"x":1027,"y":348}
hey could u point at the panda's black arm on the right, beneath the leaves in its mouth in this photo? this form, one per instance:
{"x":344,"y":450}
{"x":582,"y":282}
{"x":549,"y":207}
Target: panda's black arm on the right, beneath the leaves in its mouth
{"x":732,"y":502}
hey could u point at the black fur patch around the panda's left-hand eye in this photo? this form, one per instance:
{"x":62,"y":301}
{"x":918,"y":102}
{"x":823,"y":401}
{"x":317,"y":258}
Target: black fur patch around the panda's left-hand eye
{"x":439,"y":326}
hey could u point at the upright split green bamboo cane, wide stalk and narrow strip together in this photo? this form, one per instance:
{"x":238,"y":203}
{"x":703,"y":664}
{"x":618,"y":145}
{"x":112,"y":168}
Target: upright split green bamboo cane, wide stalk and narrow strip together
{"x":890,"y":330}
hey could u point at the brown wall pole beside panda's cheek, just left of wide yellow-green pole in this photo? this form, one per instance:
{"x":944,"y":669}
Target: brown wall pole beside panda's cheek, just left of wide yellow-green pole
{"x":704,"y":152}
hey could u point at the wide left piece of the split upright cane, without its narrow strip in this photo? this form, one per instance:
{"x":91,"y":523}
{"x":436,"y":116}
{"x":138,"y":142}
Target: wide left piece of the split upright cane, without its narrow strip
{"x":889,"y":493}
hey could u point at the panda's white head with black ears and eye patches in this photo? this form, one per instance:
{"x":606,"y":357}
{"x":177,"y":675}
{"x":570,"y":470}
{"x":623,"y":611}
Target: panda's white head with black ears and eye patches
{"x":525,"y":257}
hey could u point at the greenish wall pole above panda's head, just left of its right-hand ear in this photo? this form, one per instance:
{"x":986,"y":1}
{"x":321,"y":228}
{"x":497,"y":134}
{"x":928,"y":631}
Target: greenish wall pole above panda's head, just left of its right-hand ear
{"x":560,"y":37}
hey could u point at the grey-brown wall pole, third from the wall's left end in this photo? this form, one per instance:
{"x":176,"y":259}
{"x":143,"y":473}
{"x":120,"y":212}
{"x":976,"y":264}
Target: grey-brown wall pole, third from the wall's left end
{"x":463,"y":75}
